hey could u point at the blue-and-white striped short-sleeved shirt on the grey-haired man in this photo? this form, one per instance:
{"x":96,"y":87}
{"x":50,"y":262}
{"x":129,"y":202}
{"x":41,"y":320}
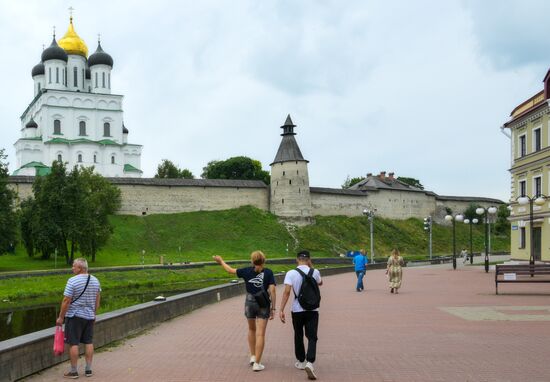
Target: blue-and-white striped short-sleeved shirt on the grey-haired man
{"x":84,"y":307}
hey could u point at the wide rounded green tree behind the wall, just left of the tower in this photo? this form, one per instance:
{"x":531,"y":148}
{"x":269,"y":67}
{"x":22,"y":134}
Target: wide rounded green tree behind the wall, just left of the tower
{"x":236,"y":168}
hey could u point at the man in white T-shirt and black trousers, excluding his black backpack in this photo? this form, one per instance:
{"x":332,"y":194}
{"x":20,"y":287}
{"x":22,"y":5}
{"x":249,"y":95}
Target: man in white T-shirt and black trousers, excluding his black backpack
{"x":301,"y":318}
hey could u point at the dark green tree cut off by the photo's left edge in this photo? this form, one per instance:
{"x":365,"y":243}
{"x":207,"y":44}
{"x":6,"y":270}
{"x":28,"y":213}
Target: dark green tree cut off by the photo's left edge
{"x":8,"y":217}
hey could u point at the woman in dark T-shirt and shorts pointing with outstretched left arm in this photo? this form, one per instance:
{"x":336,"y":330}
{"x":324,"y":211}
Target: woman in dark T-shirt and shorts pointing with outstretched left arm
{"x":259,"y":305}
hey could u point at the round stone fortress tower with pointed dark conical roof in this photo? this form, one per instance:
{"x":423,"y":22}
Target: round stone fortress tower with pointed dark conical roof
{"x":290,"y":197}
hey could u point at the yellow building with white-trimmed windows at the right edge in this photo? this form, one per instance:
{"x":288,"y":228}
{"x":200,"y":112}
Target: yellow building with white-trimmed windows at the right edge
{"x":530,"y":176}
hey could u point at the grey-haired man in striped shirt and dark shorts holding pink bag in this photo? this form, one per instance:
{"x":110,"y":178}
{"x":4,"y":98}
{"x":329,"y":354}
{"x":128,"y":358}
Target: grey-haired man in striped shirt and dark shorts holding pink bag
{"x":78,"y":310}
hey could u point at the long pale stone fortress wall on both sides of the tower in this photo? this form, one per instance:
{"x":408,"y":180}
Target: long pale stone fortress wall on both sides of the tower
{"x":161,"y":196}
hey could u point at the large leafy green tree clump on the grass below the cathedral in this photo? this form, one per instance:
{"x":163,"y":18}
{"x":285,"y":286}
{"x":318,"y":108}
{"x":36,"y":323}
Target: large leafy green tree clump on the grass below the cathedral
{"x":68,"y":213}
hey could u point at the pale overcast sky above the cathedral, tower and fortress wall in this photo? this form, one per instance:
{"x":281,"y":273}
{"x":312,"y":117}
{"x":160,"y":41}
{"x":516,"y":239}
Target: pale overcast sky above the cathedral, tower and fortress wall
{"x":419,"y":88}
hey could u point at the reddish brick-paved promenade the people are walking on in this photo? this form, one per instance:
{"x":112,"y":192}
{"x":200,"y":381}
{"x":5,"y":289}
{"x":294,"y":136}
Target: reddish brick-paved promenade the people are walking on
{"x":444,"y":325}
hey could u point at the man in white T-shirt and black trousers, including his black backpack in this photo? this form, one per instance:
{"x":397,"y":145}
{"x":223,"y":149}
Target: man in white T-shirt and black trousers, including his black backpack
{"x":304,"y":281}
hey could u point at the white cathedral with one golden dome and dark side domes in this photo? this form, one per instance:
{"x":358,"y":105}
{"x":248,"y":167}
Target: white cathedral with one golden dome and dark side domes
{"x":73,"y":116}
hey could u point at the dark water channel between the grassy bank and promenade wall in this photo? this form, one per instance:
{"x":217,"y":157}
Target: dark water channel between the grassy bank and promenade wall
{"x":20,"y":321}
